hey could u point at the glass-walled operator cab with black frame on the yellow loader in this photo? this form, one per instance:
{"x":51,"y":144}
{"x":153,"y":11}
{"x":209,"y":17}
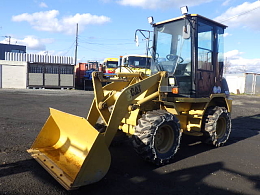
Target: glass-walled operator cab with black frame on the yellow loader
{"x":190,"y":49}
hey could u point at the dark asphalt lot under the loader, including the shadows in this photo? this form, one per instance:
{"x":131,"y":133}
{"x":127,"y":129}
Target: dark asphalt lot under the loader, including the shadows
{"x":197,"y":169}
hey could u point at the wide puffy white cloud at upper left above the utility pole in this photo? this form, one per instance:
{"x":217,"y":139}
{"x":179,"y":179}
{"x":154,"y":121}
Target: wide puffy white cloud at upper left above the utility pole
{"x":49,"y":21}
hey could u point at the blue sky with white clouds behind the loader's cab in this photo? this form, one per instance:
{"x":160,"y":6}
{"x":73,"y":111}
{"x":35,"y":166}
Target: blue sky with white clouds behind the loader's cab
{"x":107,"y":27}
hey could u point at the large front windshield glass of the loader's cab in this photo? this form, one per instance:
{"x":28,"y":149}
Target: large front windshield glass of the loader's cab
{"x":172,"y":51}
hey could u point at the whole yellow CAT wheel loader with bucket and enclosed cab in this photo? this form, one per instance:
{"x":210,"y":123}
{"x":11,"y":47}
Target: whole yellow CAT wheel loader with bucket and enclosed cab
{"x":186,"y":93}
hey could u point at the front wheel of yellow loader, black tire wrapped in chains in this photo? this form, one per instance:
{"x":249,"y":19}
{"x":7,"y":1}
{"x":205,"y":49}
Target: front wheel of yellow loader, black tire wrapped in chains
{"x":157,"y":137}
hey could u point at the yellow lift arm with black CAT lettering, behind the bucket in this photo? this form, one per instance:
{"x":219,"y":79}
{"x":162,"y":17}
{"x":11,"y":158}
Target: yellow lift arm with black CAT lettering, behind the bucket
{"x":123,"y":96}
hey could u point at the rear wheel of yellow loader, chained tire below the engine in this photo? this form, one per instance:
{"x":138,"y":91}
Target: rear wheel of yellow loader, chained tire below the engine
{"x":216,"y":126}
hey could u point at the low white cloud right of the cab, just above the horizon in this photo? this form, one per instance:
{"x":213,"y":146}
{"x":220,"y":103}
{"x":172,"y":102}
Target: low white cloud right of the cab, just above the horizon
{"x":237,"y":64}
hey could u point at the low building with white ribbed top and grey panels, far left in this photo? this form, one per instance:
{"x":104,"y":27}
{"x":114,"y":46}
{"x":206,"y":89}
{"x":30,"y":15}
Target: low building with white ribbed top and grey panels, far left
{"x":36,"y":71}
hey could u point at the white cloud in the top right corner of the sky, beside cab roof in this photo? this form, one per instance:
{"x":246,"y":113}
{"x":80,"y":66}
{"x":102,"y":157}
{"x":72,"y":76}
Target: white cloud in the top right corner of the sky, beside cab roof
{"x":244,"y":15}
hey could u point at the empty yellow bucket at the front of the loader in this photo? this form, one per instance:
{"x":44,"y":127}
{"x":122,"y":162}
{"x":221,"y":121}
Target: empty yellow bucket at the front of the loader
{"x":71,"y":150}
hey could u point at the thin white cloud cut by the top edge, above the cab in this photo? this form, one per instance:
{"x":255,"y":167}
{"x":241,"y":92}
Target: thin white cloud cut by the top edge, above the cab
{"x":154,"y":4}
